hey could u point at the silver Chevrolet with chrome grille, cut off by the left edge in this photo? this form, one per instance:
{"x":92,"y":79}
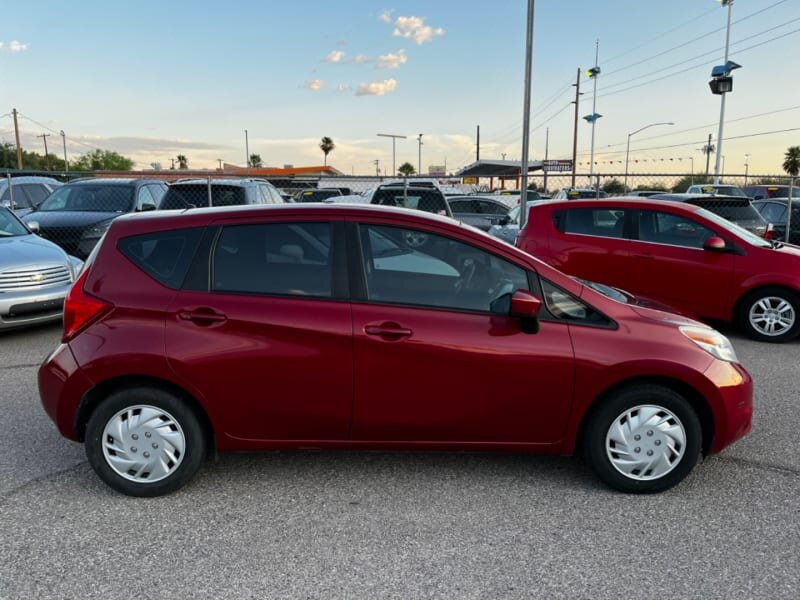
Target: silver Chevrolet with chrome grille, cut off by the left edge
{"x":35,"y":275}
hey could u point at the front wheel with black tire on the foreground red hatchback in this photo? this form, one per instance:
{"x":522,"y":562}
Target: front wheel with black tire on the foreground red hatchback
{"x":678,"y":420}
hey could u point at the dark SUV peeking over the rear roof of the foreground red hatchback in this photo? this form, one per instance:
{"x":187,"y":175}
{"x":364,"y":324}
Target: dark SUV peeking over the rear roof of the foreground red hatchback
{"x":192,"y":193}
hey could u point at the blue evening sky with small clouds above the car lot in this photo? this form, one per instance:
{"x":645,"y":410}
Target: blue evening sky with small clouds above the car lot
{"x":154,"y":79}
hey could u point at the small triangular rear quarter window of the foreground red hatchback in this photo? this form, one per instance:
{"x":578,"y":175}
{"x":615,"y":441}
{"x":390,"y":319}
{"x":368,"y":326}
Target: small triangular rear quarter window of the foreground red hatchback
{"x":165,"y":256}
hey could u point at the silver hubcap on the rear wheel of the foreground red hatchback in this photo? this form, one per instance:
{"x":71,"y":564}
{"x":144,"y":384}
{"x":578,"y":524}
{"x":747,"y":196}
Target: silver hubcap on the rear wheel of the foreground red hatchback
{"x":143,"y":443}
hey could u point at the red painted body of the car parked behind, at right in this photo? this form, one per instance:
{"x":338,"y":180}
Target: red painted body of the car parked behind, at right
{"x":704,"y":283}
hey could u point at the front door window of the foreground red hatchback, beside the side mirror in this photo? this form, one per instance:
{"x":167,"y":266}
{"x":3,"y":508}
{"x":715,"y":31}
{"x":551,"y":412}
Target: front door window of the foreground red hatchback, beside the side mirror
{"x":441,"y":272}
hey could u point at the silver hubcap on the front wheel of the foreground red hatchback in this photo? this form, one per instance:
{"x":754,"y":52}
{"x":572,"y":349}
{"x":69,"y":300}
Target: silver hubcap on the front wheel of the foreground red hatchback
{"x":646,"y":442}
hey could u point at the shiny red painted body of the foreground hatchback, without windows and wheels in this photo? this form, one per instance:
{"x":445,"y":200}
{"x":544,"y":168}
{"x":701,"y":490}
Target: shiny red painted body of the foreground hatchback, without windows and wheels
{"x":289,"y":372}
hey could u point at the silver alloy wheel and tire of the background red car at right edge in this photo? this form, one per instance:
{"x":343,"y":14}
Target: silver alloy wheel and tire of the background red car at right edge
{"x":770,"y":315}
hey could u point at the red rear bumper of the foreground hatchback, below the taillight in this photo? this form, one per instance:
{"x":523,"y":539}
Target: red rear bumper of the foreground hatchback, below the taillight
{"x":62,"y":384}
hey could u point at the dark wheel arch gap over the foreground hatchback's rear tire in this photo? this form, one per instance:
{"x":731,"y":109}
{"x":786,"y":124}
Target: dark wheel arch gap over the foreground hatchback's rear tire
{"x":92,"y":399}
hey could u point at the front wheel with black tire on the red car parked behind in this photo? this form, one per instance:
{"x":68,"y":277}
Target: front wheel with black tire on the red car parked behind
{"x":756,"y":302}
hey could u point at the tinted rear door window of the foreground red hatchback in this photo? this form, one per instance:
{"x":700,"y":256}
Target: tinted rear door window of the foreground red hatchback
{"x":291,"y":259}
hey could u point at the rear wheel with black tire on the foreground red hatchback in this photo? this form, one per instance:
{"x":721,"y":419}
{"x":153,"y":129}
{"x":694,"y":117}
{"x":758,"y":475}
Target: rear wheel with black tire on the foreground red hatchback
{"x":165,"y":427}
